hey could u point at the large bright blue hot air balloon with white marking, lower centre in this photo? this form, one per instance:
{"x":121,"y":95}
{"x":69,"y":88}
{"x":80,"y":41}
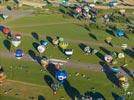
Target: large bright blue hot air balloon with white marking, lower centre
{"x":61,"y":75}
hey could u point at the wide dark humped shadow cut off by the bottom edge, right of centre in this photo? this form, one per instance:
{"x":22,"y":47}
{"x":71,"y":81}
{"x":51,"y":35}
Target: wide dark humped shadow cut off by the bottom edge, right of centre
{"x":95,"y":95}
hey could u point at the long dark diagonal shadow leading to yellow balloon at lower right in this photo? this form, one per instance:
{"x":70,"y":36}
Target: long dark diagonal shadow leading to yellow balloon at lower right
{"x":110,"y":75}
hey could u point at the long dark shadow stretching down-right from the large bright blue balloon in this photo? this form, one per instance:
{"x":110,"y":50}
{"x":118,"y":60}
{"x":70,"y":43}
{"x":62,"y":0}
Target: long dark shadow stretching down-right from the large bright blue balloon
{"x":71,"y":91}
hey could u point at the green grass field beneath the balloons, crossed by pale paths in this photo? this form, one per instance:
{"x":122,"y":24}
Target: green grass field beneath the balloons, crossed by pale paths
{"x":29,"y":74}
